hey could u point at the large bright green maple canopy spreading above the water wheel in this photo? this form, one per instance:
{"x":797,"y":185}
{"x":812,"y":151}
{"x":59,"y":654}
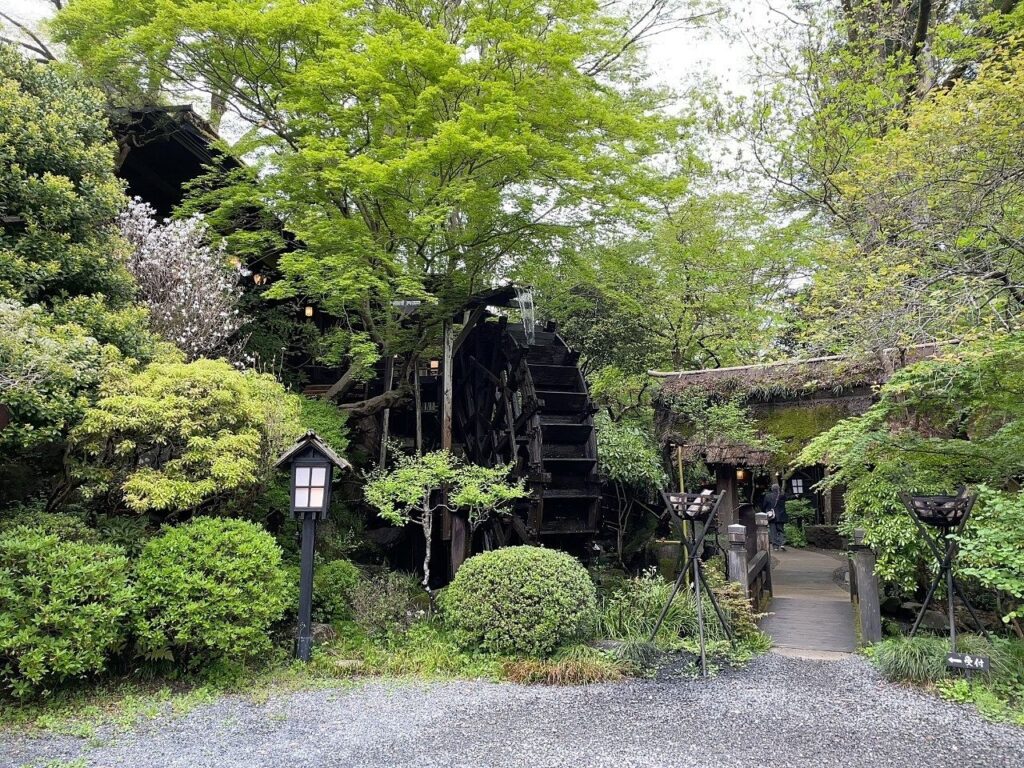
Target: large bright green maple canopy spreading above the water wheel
{"x":448,"y":143}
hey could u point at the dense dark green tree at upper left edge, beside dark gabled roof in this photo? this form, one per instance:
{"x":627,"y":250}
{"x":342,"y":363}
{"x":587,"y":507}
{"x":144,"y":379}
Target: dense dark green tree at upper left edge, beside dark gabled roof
{"x":58,"y":189}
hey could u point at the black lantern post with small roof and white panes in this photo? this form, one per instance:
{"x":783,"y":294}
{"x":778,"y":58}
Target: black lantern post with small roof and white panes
{"x":312,"y":463}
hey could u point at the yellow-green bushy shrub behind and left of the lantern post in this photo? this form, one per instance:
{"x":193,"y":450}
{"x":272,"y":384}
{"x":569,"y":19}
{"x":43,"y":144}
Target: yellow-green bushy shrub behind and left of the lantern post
{"x":175,"y":435}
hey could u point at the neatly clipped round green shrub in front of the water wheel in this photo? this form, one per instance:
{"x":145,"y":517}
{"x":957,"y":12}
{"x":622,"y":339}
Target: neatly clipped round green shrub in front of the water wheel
{"x":521,"y":602}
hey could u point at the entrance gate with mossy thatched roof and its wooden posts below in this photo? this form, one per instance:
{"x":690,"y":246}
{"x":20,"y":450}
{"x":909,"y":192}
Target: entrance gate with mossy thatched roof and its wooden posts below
{"x":791,"y":401}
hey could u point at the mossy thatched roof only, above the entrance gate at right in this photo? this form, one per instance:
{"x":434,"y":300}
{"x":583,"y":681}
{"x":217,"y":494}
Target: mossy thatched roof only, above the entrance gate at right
{"x":792,"y":401}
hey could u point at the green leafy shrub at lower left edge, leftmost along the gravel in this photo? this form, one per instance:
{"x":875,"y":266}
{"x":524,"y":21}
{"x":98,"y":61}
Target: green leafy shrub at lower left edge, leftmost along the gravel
{"x":64,"y":609}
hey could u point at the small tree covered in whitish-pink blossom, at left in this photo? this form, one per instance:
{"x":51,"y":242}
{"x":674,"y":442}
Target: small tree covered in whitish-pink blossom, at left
{"x":188,"y":285}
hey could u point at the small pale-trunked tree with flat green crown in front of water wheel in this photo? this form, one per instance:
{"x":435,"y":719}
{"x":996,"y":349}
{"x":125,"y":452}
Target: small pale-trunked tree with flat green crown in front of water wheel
{"x":409,"y":492}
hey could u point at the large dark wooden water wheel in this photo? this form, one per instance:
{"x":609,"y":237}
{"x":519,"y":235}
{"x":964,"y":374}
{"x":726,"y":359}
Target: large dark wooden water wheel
{"x":525,"y":402}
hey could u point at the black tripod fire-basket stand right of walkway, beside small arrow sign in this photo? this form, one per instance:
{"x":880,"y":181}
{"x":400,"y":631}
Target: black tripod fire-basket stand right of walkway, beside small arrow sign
{"x":949,"y":516}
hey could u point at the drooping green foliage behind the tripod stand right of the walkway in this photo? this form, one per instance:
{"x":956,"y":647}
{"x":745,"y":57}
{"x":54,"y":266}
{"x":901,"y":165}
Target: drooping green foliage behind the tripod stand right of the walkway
{"x":954,"y":420}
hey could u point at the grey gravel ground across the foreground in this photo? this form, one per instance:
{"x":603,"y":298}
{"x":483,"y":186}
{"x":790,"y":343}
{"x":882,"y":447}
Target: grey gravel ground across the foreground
{"x":777,"y":712}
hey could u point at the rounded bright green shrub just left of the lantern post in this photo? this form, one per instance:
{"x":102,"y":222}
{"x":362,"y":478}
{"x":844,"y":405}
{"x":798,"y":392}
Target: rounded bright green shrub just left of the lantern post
{"x":209,"y":589}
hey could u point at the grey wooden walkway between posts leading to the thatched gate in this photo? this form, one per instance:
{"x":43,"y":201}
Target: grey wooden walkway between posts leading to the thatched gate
{"x":810,"y":616}
